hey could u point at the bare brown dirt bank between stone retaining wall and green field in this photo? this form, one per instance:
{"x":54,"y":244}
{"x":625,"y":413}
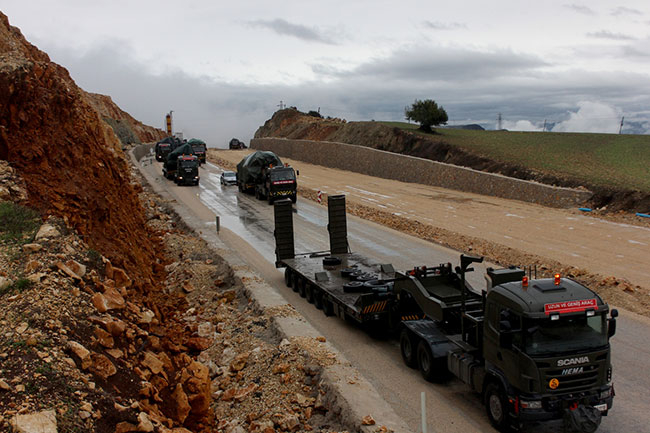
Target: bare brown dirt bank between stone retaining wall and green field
{"x":290,"y":123}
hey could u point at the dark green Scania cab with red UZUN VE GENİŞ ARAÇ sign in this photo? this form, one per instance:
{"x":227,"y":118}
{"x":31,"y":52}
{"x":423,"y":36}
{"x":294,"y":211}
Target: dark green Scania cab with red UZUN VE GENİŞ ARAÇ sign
{"x":547,"y":354}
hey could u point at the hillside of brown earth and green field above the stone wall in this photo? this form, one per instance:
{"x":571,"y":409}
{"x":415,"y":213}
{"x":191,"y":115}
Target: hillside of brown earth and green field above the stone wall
{"x":615,"y":167}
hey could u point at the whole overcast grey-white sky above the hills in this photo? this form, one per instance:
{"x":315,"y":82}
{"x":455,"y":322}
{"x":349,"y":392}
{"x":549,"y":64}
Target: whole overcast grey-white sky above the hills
{"x":223,"y":67}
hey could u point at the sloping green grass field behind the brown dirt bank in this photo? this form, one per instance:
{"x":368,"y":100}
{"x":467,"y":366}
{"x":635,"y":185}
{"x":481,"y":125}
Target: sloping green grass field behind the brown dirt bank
{"x":610,"y":160}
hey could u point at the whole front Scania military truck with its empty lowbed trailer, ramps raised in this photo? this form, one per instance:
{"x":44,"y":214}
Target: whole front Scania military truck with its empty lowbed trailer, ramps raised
{"x":537,"y":350}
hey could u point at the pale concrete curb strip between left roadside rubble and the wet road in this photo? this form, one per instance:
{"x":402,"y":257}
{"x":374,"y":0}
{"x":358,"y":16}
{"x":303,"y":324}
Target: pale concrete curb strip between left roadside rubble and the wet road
{"x":350,"y":401}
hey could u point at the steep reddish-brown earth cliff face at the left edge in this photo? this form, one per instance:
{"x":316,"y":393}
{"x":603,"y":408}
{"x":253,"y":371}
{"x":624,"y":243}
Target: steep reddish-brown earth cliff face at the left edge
{"x":70,"y":159}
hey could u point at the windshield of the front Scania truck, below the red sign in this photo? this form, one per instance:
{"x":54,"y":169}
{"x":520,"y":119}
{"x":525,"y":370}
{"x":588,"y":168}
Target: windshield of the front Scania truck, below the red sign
{"x":543,"y":337}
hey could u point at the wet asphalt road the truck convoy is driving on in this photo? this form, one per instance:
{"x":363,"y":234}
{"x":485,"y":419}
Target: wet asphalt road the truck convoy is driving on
{"x":248,"y":228}
